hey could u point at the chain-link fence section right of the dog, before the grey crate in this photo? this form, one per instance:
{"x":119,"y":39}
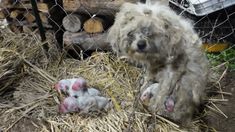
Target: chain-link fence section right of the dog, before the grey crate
{"x":214,"y":21}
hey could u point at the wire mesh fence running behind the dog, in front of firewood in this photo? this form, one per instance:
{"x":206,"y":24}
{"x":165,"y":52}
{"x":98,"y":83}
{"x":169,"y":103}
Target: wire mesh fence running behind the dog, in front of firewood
{"x":90,"y":19}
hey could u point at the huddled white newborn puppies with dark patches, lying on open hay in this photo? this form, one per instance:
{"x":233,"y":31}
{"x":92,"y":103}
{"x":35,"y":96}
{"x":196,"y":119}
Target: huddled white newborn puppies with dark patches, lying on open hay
{"x":79,"y":97}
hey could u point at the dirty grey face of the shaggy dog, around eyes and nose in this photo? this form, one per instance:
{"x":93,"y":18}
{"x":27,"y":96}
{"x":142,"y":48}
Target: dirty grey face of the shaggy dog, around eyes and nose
{"x":142,"y":38}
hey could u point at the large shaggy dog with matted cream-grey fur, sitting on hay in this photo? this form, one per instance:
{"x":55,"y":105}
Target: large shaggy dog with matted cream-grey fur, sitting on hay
{"x":170,"y":49}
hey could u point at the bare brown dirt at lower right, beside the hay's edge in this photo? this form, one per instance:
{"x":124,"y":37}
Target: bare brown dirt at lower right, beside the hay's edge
{"x":219,"y":122}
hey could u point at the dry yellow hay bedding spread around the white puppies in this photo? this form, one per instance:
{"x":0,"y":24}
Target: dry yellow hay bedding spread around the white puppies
{"x":26,"y":70}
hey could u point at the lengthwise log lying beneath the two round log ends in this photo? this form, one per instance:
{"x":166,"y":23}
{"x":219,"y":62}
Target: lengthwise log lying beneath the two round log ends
{"x":86,"y":41}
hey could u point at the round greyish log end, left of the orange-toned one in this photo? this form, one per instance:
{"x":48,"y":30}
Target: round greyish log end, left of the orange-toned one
{"x":73,"y":22}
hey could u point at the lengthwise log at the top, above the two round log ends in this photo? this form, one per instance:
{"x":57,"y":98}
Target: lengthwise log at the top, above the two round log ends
{"x":100,"y":7}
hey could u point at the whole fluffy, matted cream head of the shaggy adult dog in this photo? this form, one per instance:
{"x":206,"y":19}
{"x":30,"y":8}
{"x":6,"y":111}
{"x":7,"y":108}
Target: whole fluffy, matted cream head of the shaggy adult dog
{"x":144,"y":33}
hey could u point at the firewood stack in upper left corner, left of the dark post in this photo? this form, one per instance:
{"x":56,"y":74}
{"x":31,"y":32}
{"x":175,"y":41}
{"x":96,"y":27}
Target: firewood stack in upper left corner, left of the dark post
{"x":20,"y":16}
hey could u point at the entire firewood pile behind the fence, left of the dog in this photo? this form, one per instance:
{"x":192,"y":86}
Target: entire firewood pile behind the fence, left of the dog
{"x":84,"y":25}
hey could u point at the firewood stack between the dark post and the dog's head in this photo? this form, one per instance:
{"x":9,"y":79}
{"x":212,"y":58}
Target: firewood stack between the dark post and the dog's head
{"x":87,"y":22}
